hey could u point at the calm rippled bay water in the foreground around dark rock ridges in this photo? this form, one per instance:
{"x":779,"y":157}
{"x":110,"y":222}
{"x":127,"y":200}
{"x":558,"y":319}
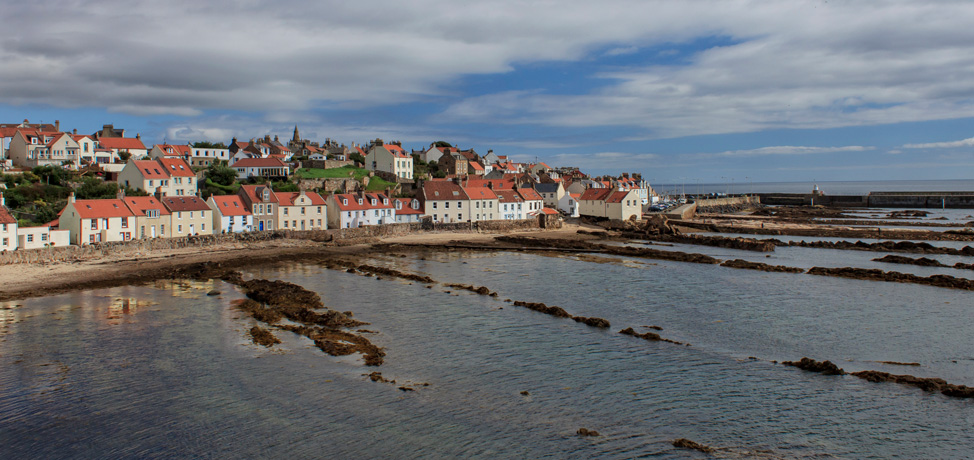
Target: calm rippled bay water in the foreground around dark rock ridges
{"x":165,"y":371}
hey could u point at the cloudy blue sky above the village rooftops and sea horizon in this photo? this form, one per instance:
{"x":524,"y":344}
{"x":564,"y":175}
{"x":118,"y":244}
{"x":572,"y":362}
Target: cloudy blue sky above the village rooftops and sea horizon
{"x":692,"y":91}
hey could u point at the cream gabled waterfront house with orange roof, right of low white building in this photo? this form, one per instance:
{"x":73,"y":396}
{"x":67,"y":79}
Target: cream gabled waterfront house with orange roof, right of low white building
{"x":97,"y":221}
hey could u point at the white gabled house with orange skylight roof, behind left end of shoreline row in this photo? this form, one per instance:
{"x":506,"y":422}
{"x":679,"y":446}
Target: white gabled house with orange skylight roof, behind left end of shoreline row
{"x":164,"y":176}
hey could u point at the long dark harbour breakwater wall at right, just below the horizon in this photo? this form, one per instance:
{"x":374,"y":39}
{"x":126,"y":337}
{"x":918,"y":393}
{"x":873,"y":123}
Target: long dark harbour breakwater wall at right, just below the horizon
{"x":874,"y":200}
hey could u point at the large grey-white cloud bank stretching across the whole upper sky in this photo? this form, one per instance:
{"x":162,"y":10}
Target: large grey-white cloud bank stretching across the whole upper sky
{"x":804,"y":64}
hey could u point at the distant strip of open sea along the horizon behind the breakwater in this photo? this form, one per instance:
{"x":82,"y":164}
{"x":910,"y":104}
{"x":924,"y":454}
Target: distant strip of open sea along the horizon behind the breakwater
{"x":829,"y":187}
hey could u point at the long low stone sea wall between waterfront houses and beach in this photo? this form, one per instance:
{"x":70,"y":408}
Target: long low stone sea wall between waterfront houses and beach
{"x":135,"y":248}
